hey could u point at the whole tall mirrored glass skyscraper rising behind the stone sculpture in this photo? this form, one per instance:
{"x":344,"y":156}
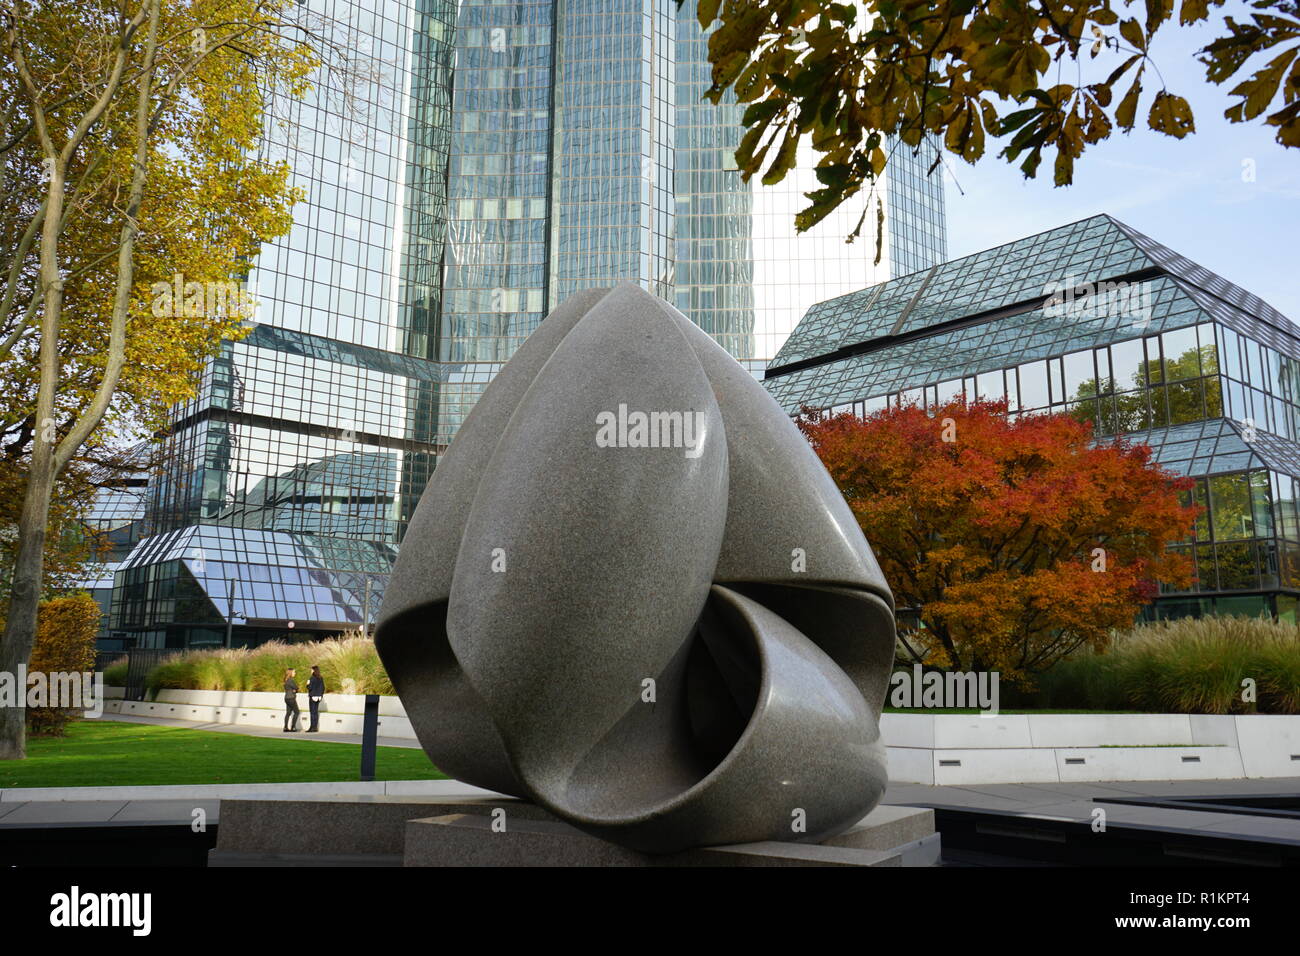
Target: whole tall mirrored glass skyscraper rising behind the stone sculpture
{"x":506,"y":155}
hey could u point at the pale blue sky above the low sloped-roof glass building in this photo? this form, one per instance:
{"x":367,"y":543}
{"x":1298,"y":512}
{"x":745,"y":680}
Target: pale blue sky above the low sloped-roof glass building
{"x":1186,"y":194}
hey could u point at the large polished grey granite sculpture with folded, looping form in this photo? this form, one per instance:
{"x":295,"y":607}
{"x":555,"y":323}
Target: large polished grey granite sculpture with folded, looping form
{"x":634,"y":596}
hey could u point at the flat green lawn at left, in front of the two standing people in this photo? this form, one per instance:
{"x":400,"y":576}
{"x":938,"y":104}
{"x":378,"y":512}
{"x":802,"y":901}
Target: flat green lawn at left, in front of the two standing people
{"x":112,"y":754}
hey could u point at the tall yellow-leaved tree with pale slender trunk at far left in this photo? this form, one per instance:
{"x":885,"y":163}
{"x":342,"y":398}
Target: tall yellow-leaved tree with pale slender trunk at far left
{"x":129,"y":135}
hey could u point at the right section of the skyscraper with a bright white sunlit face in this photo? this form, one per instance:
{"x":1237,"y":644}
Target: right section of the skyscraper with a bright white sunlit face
{"x":744,"y":275}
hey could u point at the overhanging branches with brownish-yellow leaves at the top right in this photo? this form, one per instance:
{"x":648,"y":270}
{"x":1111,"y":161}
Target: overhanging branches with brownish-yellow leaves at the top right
{"x":856,"y":75}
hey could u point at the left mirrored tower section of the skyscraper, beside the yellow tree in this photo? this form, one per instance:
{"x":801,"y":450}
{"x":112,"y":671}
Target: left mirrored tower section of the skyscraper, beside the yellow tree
{"x":287,"y":481}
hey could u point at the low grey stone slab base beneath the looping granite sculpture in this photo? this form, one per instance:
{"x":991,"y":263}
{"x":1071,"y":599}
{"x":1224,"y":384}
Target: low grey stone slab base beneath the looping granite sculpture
{"x":502,"y":832}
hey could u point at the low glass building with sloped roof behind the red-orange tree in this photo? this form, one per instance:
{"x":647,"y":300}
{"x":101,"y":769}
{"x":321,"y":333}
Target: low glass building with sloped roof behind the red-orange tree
{"x":1100,"y":322}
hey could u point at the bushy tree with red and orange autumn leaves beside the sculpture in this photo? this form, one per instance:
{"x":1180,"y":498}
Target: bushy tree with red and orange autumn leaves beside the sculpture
{"x":1017,"y":542}
